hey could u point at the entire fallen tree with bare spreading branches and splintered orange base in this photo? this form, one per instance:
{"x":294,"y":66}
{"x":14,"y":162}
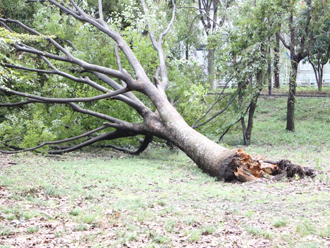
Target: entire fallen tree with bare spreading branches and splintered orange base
{"x":165,"y":122}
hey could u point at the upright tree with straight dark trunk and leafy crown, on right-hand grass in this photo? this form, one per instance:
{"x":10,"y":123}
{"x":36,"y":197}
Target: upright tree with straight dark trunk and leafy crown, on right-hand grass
{"x":302,"y":19}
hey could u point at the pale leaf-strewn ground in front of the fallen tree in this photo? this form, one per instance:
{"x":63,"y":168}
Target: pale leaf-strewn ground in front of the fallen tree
{"x":170,"y":207}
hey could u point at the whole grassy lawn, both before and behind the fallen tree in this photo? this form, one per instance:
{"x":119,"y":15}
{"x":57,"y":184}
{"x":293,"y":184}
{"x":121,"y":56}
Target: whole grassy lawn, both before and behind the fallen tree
{"x":161,"y":199}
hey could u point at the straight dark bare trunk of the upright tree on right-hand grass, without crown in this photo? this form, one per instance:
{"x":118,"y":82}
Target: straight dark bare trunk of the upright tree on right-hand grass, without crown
{"x":291,"y":96}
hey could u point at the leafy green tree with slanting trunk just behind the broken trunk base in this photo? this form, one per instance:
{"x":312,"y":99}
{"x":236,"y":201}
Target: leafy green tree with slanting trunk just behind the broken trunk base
{"x":242,"y":57}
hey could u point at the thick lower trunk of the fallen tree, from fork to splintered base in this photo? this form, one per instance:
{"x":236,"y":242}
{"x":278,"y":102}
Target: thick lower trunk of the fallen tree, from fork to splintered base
{"x":225,"y":164}
